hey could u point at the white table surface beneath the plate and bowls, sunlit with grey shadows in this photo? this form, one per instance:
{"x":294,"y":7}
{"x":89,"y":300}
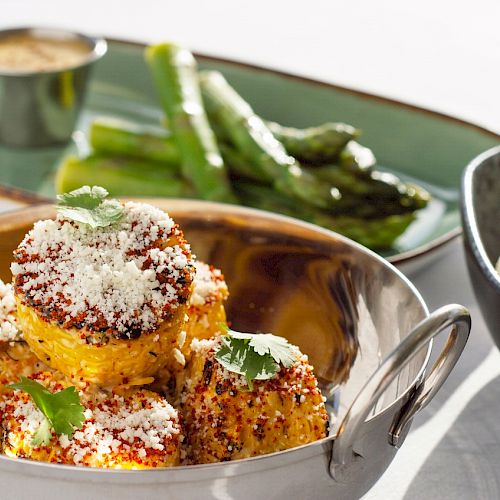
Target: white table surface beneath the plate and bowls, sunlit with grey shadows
{"x":441,"y":55}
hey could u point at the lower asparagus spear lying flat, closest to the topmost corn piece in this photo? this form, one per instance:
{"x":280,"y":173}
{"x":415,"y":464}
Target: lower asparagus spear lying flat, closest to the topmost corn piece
{"x":120,"y":176}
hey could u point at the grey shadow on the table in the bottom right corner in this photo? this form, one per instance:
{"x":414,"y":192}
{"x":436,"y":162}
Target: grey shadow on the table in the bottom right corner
{"x":466,"y":462}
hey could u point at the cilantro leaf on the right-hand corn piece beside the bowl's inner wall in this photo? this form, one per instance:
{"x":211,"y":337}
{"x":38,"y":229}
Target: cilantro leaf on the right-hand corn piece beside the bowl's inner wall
{"x":256,"y":356}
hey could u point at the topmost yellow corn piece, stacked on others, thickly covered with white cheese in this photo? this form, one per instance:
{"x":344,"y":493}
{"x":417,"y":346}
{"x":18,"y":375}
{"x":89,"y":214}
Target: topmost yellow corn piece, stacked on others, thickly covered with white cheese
{"x":104,"y":305}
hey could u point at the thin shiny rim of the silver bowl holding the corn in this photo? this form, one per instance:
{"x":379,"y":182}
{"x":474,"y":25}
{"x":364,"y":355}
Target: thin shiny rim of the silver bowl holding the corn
{"x":314,"y":448}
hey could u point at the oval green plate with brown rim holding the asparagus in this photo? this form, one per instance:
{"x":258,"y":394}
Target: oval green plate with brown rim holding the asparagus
{"x":430,"y":148}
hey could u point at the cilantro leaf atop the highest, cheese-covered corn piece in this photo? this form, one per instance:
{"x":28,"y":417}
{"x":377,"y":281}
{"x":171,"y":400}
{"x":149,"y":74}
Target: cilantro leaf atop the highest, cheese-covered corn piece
{"x":88,"y":205}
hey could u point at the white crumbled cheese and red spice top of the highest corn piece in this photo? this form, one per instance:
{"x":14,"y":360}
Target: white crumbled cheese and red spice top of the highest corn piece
{"x":121,"y":278}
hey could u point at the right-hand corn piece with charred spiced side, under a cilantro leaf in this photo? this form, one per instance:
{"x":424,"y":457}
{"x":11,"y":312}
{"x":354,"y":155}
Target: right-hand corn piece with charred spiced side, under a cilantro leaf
{"x":225,"y":421}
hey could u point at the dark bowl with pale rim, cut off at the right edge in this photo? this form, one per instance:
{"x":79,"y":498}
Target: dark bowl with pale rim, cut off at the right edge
{"x":480,"y":204}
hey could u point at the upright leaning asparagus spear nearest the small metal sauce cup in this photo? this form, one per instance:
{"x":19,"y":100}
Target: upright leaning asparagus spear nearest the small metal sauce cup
{"x":174,"y":72}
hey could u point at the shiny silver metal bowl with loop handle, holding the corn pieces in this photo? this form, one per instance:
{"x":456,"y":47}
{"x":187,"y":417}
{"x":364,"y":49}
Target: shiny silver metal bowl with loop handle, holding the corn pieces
{"x":364,"y":326}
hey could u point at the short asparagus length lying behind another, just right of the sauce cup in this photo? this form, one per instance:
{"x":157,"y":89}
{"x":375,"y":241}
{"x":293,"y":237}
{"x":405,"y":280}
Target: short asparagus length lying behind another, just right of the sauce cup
{"x":120,"y":137}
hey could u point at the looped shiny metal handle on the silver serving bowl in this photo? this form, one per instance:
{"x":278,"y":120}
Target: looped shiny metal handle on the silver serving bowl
{"x":343,"y":456}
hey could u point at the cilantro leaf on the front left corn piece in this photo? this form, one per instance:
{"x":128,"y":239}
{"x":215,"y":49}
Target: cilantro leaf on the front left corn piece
{"x":63,"y":410}
